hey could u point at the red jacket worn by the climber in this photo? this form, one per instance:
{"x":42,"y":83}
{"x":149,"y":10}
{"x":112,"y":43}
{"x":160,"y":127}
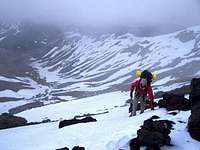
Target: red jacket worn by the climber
{"x":135,"y":86}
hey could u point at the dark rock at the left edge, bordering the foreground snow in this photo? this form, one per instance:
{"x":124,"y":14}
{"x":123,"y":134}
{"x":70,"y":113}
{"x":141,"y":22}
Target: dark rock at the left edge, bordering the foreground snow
{"x":9,"y":121}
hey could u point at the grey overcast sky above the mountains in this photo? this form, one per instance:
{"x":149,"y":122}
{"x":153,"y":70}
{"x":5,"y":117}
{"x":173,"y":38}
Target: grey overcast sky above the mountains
{"x":103,"y":12}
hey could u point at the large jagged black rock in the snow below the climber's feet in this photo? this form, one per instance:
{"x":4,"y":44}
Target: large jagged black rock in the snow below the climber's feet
{"x":153,"y":134}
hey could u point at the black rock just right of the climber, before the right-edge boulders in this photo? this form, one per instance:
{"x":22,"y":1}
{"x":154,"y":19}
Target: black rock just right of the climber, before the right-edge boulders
{"x":174,"y":102}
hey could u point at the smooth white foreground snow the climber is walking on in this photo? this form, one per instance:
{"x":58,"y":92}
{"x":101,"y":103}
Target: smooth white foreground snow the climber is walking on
{"x":112,"y":131}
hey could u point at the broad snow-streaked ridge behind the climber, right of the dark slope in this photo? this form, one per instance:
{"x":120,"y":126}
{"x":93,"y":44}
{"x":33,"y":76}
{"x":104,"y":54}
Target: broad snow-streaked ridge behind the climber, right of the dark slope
{"x":106,"y":63}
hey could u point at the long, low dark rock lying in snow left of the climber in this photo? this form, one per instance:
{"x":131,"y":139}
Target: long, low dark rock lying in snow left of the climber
{"x":75,"y":121}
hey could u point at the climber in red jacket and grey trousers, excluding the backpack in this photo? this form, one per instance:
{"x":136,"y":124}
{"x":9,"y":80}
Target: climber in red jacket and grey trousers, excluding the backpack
{"x":143,"y":91}
